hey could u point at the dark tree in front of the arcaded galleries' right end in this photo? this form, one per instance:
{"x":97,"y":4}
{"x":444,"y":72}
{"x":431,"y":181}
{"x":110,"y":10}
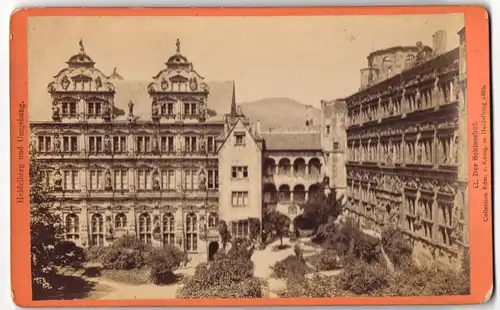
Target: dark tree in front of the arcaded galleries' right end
{"x":321,"y":208}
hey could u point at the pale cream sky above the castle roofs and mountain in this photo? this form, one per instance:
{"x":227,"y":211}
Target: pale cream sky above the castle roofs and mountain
{"x":307,"y":58}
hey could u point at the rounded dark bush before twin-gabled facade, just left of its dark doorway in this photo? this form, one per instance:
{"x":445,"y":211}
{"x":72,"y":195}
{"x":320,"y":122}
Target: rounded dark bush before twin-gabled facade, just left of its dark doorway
{"x":163,"y":262}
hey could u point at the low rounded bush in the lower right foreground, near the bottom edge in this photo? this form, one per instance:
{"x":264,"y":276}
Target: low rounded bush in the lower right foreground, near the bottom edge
{"x":364,"y":279}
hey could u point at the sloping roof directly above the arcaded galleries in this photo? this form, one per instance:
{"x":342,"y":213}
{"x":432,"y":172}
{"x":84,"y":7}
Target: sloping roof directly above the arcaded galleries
{"x":291,"y":141}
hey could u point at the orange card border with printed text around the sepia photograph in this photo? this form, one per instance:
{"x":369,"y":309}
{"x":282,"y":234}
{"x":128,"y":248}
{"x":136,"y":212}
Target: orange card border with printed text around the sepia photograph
{"x":478,"y":77}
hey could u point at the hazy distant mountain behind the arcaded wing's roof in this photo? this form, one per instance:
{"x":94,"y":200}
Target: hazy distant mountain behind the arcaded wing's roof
{"x":280,"y":112}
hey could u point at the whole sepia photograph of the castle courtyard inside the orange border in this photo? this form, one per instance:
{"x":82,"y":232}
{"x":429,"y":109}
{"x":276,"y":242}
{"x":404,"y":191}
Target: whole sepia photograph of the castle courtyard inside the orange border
{"x":226,"y":157}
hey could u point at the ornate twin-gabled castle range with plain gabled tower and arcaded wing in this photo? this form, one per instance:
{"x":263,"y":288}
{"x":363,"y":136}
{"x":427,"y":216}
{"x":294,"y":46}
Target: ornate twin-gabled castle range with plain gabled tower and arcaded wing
{"x":164,"y":159}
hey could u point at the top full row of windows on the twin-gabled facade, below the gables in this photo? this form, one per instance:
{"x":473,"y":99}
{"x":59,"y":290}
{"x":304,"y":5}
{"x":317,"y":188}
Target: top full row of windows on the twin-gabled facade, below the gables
{"x":118,"y":144}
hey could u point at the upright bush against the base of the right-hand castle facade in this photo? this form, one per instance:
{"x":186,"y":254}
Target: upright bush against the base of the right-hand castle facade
{"x":397,"y":248}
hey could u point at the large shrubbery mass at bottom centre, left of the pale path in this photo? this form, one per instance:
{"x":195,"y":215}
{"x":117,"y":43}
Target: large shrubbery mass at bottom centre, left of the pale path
{"x":229,"y":275}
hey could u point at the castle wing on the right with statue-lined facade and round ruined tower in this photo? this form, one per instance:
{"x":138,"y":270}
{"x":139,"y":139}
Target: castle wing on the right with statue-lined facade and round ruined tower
{"x":405,"y":128}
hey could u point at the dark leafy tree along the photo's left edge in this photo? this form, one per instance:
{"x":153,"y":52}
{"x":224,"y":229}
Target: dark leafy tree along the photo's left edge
{"x":45,"y":228}
